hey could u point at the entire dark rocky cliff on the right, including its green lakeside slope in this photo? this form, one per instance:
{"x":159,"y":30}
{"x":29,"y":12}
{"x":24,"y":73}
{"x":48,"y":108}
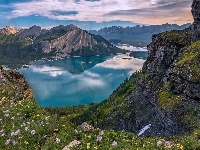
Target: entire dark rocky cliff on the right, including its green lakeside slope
{"x":165,"y":94}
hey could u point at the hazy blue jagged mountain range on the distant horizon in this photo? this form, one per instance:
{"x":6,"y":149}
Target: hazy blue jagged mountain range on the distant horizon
{"x":139,"y":36}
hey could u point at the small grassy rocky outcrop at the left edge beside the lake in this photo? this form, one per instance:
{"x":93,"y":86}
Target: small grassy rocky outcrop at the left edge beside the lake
{"x":13,"y":87}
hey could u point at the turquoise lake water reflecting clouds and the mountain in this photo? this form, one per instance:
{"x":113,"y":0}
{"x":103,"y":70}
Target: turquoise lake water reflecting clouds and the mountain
{"x":78,"y":80}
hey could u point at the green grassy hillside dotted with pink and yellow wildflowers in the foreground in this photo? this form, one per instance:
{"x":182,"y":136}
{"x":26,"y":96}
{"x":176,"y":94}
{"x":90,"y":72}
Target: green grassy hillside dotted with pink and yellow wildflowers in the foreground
{"x":25,"y":125}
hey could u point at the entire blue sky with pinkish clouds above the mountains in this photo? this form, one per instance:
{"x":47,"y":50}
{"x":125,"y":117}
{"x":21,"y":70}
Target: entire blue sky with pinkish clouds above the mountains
{"x":93,"y":14}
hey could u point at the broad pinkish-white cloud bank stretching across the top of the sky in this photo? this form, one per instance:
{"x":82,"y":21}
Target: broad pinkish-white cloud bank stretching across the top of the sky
{"x":143,"y":11}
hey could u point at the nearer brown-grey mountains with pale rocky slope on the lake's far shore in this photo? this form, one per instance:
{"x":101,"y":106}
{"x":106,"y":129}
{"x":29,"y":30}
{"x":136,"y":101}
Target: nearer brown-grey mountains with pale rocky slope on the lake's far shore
{"x":60,"y":41}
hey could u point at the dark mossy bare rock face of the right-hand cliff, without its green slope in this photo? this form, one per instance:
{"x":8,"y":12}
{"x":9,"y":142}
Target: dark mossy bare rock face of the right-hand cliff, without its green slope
{"x":172,"y":89}
